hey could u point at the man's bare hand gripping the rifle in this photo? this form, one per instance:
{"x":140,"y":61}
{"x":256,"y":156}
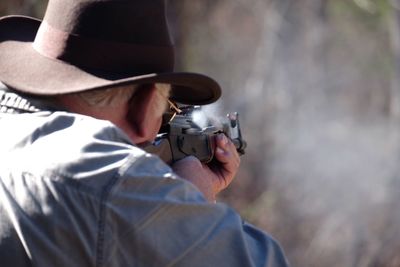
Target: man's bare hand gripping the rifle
{"x":214,"y":177}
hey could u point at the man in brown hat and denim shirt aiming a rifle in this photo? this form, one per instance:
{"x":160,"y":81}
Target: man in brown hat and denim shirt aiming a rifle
{"x":83,"y":89}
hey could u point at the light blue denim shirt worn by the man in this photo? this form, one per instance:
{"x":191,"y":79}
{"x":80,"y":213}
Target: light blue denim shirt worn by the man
{"x":74,"y":191}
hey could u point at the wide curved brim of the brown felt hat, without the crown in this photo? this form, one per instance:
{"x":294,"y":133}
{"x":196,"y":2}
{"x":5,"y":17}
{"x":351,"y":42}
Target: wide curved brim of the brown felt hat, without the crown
{"x":25,"y":70}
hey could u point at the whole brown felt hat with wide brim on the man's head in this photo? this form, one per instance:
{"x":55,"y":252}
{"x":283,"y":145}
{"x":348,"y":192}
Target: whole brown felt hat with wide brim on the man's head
{"x":89,"y":44}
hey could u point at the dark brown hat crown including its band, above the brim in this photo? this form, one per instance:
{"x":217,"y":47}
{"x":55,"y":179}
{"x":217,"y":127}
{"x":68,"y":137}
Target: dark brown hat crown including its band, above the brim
{"x":121,"y":37}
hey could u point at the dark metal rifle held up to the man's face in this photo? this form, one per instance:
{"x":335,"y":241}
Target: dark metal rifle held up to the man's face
{"x":182,"y":137}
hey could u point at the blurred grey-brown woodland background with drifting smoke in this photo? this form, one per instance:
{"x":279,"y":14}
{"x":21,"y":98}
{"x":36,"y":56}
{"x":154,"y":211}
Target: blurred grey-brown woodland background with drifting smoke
{"x":317,"y":86}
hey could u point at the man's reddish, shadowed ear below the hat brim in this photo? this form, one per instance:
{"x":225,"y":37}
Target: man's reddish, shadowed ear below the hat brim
{"x":141,"y":111}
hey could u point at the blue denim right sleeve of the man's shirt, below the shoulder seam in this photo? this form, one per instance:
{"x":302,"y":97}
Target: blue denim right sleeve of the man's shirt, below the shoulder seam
{"x":152,"y":218}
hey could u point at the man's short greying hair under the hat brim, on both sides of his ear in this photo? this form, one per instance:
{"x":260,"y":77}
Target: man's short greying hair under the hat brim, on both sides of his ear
{"x":113,"y":97}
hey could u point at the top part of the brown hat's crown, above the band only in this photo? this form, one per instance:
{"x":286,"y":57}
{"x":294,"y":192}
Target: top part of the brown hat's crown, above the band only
{"x":129,"y":21}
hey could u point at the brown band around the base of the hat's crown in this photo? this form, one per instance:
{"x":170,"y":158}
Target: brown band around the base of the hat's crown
{"x":103,"y":55}
